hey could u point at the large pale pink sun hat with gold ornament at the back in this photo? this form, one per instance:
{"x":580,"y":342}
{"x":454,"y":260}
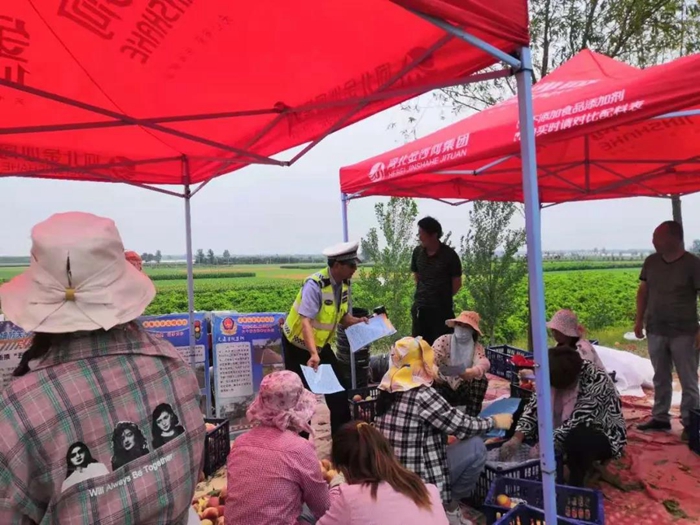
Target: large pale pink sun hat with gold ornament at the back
{"x":78,"y":279}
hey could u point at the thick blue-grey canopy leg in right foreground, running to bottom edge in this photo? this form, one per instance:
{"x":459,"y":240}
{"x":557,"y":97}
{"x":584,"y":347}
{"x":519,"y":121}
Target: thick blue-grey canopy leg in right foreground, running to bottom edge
{"x":536,"y":281}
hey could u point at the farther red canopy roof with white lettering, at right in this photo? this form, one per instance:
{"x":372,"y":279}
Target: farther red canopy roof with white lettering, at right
{"x":595,"y":140}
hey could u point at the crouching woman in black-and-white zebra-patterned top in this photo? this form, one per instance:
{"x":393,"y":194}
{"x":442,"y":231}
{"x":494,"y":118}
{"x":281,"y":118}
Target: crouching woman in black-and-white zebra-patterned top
{"x":586,"y":411}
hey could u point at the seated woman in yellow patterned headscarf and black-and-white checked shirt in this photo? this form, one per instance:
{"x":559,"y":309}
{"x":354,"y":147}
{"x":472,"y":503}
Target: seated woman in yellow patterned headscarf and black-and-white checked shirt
{"x":416,"y":421}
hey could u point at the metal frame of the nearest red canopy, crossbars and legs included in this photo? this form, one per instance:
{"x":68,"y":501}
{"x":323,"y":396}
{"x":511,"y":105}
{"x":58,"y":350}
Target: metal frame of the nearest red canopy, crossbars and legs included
{"x":522,"y":67}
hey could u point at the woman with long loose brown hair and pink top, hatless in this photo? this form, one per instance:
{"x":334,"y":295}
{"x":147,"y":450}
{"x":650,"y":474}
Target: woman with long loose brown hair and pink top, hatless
{"x":372,"y":488}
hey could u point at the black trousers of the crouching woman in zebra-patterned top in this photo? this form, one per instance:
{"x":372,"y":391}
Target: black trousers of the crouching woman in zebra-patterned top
{"x":584,"y":446}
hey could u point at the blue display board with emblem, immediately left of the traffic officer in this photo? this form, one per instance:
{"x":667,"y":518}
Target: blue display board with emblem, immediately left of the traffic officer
{"x":246,"y":348}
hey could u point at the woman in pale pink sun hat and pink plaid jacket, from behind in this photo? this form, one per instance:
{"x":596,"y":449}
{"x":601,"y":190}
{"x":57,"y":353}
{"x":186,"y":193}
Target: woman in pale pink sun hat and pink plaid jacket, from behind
{"x":94,"y":368}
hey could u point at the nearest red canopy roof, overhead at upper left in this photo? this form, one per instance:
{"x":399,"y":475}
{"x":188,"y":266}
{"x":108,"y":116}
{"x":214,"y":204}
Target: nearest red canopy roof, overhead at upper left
{"x":87,"y":84}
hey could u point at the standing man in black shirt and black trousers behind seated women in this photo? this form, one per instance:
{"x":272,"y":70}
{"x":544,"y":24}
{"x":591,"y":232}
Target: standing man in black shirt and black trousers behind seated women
{"x":438,"y":273}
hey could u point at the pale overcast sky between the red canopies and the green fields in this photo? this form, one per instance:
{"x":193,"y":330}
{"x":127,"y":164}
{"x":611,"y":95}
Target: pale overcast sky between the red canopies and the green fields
{"x":269,"y":210}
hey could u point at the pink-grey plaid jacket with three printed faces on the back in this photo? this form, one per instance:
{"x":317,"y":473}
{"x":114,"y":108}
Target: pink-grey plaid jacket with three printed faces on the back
{"x":105,"y":429}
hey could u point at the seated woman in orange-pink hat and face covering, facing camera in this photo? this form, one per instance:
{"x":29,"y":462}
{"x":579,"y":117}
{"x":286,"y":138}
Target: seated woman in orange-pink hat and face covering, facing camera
{"x":462,"y":364}
